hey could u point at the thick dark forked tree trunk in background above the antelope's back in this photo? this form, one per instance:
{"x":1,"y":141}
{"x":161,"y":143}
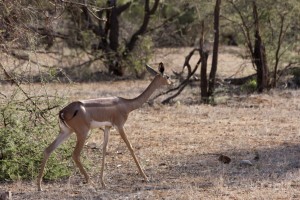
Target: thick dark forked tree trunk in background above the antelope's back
{"x":108,"y":32}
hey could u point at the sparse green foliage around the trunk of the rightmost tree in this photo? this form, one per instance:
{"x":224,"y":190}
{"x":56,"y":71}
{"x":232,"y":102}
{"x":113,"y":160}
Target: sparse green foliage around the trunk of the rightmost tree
{"x":273,"y":16}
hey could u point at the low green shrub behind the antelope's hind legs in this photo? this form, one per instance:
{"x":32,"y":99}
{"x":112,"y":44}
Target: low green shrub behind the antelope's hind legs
{"x":24,"y":134}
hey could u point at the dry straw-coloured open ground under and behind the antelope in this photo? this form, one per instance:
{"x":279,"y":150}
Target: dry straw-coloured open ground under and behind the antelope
{"x":179,"y":145}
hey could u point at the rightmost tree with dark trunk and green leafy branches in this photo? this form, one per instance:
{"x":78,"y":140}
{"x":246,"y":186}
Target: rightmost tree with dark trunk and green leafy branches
{"x":267,"y":28}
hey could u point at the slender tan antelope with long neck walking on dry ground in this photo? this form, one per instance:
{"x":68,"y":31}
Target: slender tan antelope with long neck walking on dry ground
{"x":82,"y":116}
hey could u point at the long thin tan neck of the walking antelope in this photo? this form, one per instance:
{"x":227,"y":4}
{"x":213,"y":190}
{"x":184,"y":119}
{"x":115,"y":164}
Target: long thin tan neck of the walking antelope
{"x":142,"y":98}
